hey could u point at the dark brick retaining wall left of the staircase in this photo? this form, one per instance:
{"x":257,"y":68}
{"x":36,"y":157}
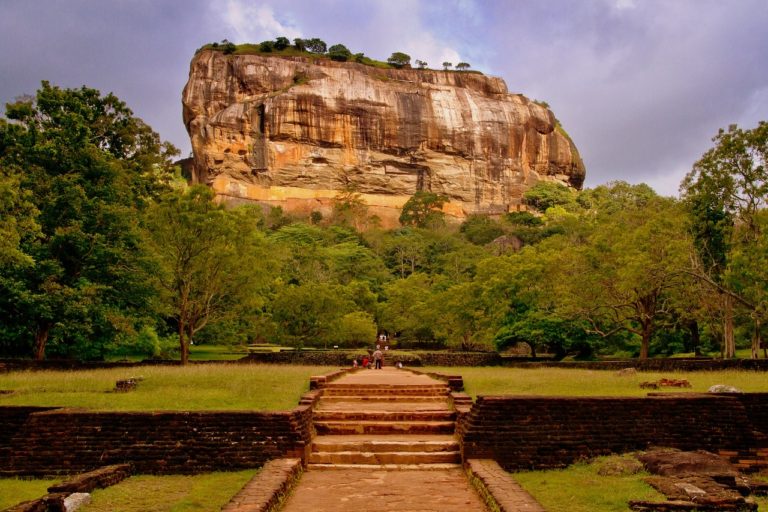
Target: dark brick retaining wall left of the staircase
{"x":69,"y":441}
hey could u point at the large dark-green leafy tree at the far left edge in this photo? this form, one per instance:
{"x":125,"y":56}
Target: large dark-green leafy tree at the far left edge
{"x":79,"y":166}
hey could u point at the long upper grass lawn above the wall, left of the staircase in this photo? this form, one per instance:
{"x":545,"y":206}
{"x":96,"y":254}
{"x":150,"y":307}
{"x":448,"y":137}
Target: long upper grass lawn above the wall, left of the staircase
{"x":195,"y":387}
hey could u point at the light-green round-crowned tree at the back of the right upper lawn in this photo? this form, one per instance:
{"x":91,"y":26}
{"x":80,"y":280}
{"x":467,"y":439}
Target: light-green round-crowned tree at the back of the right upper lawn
{"x":623,"y":272}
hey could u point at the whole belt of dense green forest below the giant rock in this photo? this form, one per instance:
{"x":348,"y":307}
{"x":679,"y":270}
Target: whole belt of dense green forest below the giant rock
{"x":104,"y":249}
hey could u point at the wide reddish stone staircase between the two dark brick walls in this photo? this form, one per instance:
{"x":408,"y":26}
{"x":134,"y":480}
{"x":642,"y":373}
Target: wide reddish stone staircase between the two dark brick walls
{"x":384,"y":425}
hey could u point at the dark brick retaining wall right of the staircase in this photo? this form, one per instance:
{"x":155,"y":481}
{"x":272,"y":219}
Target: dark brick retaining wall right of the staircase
{"x":551,"y":432}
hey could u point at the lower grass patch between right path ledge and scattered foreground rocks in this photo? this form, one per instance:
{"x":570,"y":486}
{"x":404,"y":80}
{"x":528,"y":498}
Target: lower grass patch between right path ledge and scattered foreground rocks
{"x":579,"y":488}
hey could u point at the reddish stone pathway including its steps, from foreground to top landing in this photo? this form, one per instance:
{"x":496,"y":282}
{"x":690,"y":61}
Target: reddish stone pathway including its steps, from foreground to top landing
{"x":385,"y":443}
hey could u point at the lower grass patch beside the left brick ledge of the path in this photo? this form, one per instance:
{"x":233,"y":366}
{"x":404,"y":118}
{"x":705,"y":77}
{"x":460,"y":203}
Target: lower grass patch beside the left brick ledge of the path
{"x":170,"y":493}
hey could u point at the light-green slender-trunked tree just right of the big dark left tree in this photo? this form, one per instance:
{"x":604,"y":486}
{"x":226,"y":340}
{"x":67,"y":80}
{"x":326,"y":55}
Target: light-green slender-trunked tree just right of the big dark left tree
{"x":211,"y":262}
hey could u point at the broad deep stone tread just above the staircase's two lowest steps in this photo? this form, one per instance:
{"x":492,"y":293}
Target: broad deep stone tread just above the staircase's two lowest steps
{"x":376,"y":444}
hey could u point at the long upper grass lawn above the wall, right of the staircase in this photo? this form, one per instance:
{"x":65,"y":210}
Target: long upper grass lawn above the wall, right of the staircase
{"x":575,"y":382}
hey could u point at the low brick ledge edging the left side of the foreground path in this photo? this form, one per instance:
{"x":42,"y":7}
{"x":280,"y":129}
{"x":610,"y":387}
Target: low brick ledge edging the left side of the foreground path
{"x":266,"y":491}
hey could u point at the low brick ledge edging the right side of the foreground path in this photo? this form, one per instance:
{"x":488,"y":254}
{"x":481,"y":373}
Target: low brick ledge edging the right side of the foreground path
{"x":499,"y":490}
